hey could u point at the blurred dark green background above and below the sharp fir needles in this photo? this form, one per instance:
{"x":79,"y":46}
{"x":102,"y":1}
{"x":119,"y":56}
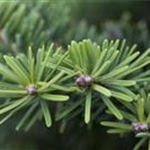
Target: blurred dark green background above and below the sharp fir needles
{"x":37,"y":23}
